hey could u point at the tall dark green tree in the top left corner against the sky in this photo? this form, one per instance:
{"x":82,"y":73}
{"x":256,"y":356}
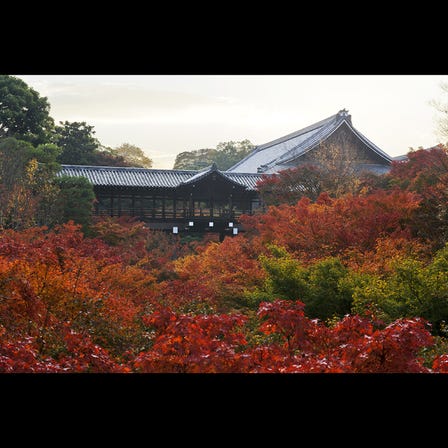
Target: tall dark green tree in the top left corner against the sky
{"x":24,"y":114}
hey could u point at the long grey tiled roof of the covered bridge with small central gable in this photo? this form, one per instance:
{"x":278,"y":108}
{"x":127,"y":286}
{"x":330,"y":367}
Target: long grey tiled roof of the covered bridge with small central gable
{"x":111,"y":176}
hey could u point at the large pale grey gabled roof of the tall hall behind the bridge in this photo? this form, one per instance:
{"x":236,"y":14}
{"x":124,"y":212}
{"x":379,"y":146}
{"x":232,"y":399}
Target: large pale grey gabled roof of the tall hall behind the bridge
{"x":276,"y":154}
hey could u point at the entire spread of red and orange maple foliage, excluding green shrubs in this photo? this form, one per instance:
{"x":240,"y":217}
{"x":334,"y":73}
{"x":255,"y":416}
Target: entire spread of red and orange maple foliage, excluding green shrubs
{"x":134,"y":300}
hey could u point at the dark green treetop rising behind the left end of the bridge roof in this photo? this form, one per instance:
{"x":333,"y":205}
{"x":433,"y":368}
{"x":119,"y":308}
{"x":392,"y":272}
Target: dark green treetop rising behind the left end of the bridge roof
{"x":77,"y":142}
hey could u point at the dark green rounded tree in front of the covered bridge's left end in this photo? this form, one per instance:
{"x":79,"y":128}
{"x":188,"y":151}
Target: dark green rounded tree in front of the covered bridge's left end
{"x":76,"y":200}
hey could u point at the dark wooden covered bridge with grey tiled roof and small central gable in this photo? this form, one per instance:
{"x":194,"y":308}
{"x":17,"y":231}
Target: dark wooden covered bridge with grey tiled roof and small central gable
{"x":174,"y":200}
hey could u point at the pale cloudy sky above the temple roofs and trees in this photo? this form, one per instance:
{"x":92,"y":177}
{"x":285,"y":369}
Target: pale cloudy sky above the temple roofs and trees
{"x":168,"y":114}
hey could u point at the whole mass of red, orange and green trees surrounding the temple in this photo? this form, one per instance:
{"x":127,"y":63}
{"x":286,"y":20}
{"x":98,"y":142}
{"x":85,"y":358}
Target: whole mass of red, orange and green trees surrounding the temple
{"x":349,"y":277}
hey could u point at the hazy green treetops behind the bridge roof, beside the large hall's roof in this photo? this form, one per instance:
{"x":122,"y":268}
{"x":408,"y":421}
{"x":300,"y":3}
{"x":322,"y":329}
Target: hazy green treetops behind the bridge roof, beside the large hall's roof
{"x":225,"y":155}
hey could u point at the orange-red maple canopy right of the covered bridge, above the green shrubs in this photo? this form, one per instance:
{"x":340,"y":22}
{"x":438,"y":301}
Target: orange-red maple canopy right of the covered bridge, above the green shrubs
{"x":331,"y":226}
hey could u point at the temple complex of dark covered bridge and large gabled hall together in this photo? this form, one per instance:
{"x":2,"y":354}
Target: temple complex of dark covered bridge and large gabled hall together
{"x":212,"y":200}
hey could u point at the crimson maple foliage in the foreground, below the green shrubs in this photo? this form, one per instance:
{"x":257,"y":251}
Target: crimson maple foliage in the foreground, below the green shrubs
{"x":292,"y":343}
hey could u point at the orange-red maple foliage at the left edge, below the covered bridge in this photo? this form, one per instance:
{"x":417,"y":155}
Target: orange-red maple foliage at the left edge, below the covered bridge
{"x":47,"y":278}
